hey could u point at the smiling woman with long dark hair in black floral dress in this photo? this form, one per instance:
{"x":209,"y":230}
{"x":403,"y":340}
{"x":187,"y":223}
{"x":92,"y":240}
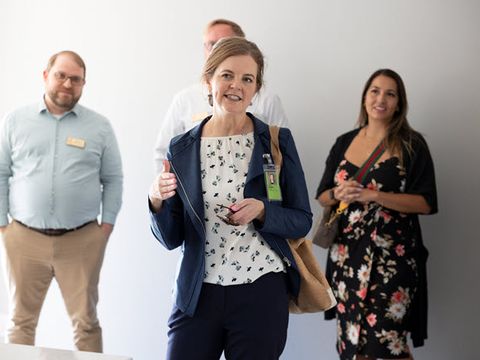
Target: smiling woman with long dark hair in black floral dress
{"x":377,"y":262}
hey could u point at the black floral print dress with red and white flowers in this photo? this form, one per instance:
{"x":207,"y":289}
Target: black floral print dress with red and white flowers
{"x":374,"y":269}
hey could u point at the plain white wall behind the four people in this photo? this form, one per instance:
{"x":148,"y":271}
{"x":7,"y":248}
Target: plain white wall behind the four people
{"x":319,"y":55}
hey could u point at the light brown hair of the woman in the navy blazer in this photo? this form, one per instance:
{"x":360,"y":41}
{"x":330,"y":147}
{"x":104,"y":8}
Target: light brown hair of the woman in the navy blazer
{"x":233,"y":46}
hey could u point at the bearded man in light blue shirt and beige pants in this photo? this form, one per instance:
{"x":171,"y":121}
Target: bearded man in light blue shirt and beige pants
{"x":59,"y":164}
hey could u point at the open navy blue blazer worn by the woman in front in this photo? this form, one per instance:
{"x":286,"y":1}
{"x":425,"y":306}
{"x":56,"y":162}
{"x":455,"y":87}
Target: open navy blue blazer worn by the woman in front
{"x":180,"y":222}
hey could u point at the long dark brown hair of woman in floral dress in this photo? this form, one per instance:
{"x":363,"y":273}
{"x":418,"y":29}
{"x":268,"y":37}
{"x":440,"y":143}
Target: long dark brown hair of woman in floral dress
{"x":399,"y":132}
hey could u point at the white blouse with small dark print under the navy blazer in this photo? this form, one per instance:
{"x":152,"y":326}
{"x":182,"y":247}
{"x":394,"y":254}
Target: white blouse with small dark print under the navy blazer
{"x":233,"y":254}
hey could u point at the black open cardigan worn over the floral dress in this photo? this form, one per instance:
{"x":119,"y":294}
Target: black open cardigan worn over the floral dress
{"x":420,"y":180}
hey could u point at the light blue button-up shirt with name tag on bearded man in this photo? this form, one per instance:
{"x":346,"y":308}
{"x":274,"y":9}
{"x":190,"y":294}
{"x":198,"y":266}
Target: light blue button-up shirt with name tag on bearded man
{"x":58,"y":173}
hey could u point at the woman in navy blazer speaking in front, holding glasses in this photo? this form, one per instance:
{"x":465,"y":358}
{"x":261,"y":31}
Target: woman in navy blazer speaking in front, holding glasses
{"x":236,"y":271}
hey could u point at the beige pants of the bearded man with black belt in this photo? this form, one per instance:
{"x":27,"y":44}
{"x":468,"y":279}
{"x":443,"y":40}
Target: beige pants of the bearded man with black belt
{"x":74,"y":259}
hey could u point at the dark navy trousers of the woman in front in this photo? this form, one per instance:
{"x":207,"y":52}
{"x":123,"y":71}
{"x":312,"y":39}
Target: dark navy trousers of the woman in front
{"x":247,"y":321}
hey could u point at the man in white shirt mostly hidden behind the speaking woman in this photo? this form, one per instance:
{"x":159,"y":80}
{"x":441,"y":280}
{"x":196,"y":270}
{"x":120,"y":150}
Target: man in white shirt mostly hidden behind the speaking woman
{"x":191,"y":105}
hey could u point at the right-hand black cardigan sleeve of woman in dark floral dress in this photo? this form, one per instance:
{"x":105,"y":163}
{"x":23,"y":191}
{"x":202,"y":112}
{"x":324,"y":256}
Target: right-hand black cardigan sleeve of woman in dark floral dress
{"x":420,"y":173}
